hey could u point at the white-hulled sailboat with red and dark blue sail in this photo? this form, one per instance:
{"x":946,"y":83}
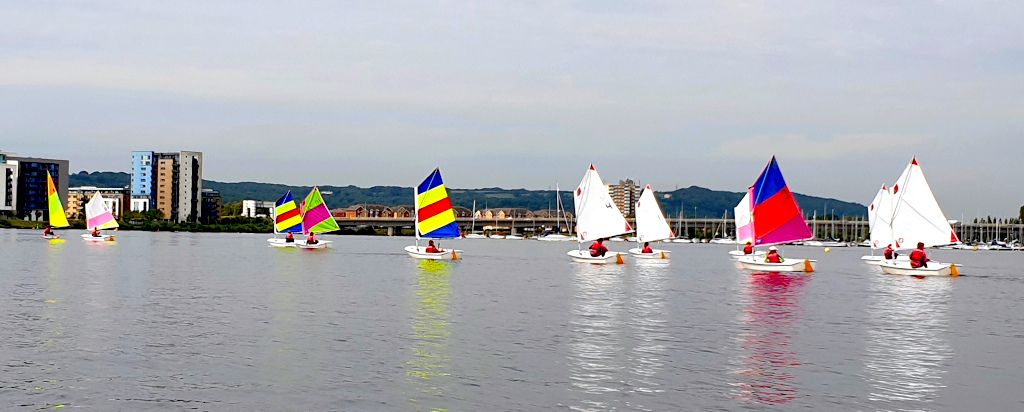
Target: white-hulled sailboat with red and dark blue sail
{"x":778,"y":220}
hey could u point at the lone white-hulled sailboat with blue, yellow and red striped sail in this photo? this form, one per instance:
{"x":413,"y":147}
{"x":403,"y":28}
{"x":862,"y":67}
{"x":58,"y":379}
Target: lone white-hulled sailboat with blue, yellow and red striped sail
{"x":435,"y":219}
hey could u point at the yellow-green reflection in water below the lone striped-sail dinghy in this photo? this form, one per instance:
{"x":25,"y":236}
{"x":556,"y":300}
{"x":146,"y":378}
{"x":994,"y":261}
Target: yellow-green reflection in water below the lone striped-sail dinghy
{"x":430,"y":369}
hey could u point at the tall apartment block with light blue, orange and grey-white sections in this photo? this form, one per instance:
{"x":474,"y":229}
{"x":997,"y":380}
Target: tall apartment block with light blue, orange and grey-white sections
{"x":172,"y":183}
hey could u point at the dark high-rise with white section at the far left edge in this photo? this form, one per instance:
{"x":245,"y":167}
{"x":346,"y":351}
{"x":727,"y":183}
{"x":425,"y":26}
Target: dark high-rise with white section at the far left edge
{"x":25,"y":185}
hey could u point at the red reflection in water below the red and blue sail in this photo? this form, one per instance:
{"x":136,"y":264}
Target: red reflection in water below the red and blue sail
{"x":773,"y":311}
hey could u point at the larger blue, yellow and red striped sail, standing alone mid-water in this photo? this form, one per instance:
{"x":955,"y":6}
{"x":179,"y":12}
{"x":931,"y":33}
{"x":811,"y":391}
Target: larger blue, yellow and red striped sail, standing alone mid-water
{"x":435,"y":217}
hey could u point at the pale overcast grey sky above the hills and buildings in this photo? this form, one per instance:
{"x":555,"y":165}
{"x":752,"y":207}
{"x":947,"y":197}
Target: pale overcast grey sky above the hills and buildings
{"x":524,"y":95}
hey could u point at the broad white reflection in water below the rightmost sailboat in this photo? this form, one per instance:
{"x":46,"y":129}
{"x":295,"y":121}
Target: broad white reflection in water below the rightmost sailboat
{"x":907,"y":351}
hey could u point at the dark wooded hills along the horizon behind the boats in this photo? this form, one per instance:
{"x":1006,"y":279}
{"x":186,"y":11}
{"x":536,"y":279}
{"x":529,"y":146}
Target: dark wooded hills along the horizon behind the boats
{"x":708,"y":202}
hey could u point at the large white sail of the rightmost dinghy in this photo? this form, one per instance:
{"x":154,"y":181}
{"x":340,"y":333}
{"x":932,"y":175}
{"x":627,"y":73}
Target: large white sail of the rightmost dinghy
{"x":917,"y":217}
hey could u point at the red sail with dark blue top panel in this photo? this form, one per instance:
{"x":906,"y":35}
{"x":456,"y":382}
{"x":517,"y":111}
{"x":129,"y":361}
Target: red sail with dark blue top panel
{"x":778,"y":218}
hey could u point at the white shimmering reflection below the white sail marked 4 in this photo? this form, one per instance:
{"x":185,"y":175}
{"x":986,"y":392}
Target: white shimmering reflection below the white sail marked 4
{"x":596,"y":350}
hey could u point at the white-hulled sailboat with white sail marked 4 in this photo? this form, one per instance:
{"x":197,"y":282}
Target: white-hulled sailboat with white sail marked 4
{"x":598,"y":218}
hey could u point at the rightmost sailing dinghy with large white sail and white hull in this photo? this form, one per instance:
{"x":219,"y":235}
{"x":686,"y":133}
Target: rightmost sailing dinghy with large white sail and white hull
{"x":918,"y":218}
